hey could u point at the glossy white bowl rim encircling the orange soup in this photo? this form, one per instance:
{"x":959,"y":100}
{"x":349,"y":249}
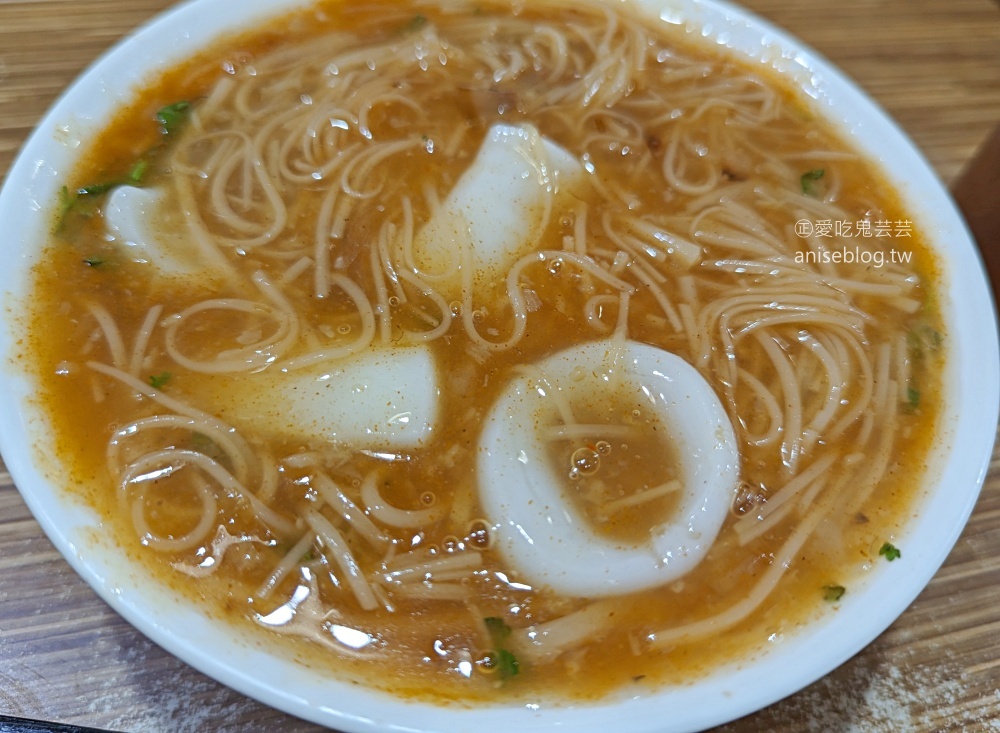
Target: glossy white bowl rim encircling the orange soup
{"x":959,"y":462}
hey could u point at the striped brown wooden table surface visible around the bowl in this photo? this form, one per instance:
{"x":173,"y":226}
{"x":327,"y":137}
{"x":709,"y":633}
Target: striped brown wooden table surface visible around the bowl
{"x":64,"y":655}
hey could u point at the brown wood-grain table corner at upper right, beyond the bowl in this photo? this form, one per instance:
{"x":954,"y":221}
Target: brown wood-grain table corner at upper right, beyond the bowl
{"x":932,"y":65}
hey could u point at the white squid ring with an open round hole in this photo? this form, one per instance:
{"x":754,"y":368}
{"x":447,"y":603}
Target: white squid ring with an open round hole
{"x":549,"y":541}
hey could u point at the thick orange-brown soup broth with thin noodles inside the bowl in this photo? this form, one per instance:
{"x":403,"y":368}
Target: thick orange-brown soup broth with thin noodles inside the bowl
{"x":293,"y":173}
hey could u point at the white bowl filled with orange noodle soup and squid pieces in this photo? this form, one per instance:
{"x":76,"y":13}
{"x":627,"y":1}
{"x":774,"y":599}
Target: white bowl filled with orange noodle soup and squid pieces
{"x":429,"y":366}
